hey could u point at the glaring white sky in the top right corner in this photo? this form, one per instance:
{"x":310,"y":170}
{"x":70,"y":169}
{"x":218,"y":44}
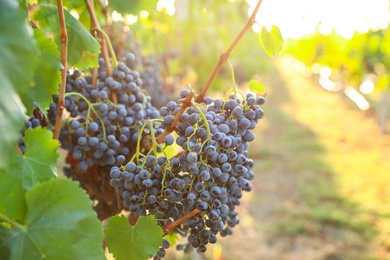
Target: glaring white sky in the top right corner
{"x":299,"y":17}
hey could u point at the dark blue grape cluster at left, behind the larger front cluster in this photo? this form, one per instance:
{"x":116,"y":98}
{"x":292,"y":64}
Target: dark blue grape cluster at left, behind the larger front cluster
{"x":105,"y":119}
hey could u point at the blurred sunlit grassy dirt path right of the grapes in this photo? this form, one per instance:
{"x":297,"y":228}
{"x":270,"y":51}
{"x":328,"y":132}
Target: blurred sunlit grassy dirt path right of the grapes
{"x":277,"y":222}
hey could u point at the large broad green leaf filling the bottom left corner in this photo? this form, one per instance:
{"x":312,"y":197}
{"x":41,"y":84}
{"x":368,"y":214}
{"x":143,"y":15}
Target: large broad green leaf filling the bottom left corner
{"x":59,"y":224}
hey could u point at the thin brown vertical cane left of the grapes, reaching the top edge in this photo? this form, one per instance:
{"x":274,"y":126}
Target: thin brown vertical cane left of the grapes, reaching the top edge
{"x":64,"y":54}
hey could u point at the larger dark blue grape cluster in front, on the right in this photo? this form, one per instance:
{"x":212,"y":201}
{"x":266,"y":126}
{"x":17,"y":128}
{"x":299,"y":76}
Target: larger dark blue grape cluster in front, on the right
{"x":209,"y":174}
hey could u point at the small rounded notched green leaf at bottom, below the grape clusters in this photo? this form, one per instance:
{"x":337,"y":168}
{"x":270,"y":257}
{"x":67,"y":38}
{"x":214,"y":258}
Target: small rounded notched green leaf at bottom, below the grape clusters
{"x":133,"y":242}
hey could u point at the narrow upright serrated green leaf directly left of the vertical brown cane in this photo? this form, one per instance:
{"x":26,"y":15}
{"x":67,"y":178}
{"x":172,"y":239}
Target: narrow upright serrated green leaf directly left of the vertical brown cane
{"x":47,"y":75}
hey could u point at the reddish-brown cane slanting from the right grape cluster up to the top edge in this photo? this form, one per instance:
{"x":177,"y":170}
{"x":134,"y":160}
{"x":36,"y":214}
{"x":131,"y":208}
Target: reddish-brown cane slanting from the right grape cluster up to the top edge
{"x":224,"y":56}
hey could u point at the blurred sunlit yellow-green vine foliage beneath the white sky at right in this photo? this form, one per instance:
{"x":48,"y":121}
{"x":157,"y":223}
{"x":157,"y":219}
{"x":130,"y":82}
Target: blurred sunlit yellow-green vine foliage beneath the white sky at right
{"x":349,"y":59}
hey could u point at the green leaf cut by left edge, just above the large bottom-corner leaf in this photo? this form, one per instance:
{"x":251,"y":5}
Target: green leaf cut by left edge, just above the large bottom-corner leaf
{"x":12,"y":203}
